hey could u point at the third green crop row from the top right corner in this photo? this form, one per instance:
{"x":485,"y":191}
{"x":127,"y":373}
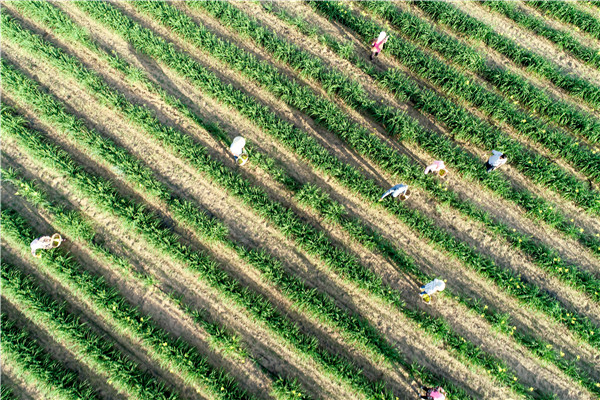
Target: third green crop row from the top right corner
{"x":461,"y":22}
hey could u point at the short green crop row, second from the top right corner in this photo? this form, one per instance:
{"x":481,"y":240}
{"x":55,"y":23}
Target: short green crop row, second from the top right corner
{"x":562,"y":39}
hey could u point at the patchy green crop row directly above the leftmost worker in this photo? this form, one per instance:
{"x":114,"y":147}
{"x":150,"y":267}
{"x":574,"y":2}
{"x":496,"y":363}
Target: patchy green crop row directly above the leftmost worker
{"x":78,"y":228}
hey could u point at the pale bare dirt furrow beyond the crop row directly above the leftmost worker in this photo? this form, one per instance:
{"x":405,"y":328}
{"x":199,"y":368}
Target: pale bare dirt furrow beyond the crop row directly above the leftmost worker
{"x":269,"y":352}
